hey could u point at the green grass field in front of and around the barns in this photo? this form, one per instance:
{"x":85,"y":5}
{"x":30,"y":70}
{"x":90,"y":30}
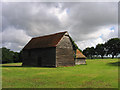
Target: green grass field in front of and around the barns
{"x":96,"y":74}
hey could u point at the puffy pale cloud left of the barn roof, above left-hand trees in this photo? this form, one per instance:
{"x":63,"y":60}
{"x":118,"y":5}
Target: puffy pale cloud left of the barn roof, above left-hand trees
{"x":14,"y":39}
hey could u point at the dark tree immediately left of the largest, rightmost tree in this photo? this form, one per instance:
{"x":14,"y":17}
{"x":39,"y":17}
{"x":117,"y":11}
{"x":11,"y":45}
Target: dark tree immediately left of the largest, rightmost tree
{"x":100,"y":50}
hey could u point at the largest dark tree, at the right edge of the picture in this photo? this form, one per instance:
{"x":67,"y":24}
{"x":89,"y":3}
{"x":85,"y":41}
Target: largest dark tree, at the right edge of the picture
{"x":113,"y":47}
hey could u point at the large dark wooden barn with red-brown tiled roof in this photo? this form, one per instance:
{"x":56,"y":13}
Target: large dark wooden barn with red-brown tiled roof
{"x":51,"y":51}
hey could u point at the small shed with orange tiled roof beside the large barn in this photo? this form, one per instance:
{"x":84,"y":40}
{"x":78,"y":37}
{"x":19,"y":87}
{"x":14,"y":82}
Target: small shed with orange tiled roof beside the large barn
{"x":80,"y":58}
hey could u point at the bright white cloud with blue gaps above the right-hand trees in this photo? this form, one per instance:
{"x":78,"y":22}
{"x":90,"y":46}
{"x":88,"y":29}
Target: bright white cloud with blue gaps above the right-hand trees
{"x":100,"y":36}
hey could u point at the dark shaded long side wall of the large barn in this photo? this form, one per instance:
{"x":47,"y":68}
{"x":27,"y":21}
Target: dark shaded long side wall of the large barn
{"x":39,"y":57}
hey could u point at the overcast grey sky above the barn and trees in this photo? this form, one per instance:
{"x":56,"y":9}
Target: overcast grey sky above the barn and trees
{"x":88,"y":23}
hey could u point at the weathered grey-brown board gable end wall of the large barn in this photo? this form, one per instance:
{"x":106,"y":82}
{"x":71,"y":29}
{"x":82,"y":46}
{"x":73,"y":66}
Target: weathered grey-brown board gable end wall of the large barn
{"x":64,"y":52}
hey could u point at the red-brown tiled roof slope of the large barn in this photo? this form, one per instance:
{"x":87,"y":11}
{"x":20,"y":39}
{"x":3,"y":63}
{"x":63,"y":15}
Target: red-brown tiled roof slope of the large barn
{"x":45,"y":41}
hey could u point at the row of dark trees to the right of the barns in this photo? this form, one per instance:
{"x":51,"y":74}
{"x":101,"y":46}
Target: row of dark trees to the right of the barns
{"x":111,"y":47}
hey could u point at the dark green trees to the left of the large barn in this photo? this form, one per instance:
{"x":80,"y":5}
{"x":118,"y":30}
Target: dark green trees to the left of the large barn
{"x":9,"y":56}
